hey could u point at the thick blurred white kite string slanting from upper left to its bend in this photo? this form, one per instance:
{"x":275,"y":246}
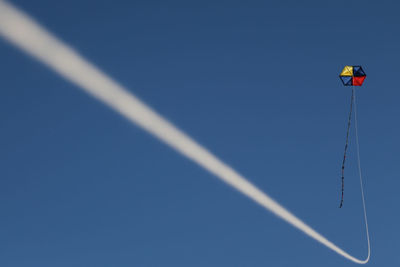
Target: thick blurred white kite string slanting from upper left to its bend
{"x":22,"y":31}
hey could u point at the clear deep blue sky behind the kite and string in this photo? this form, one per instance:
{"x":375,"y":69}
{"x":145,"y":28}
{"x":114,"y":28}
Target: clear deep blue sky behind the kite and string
{"x":256,"y":82}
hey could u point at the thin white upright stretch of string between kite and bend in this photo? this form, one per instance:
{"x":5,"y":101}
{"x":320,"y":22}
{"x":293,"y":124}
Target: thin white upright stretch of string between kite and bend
{"x":360,"y":174}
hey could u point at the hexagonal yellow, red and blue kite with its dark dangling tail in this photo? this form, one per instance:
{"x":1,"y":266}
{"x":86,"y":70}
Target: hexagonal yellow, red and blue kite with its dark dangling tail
{"x":350,"y":76}
